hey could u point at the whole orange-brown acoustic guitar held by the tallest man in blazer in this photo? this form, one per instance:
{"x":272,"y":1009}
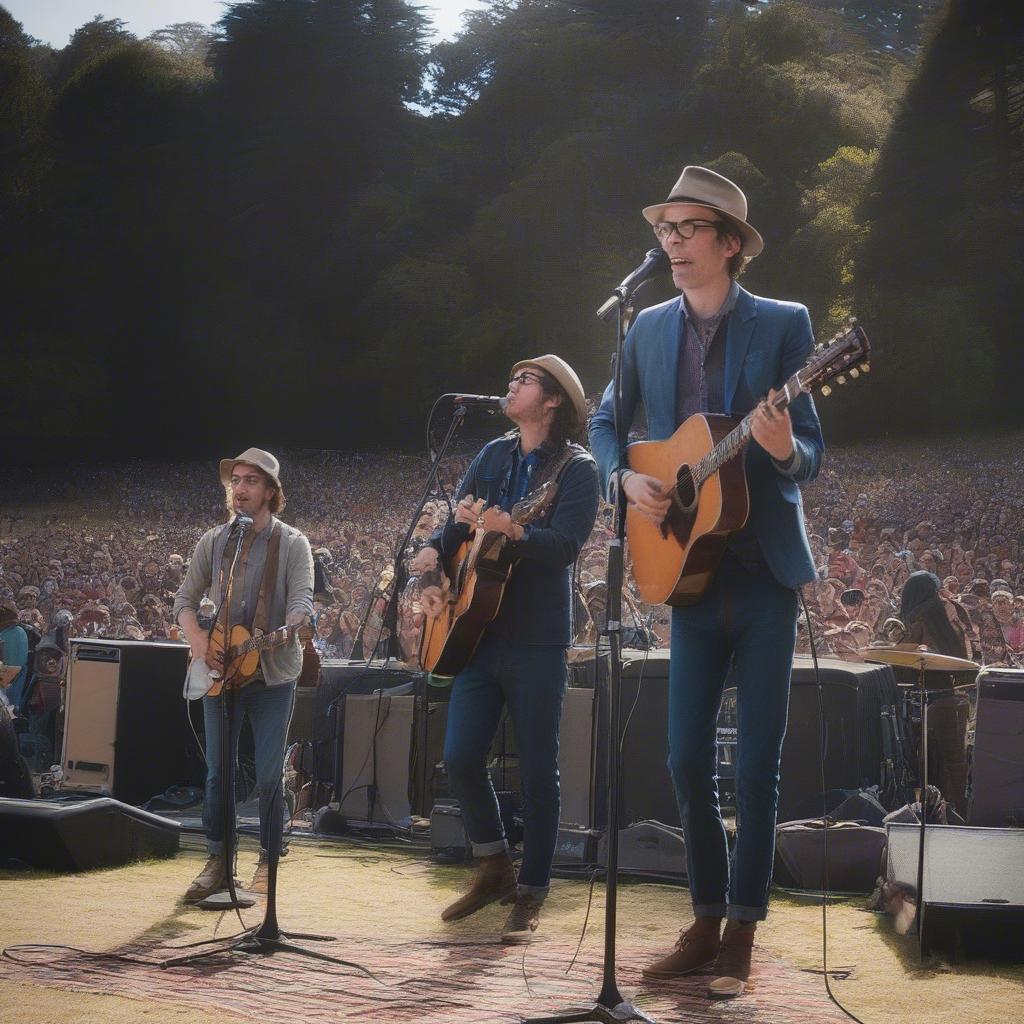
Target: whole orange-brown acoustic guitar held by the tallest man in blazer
{"x":675,"y":561}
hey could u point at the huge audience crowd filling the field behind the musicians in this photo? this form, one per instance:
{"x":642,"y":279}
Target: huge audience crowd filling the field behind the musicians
{"x":101,"y":551}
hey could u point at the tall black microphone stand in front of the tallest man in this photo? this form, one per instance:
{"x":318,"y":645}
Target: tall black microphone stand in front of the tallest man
{"x":611,"y":1007}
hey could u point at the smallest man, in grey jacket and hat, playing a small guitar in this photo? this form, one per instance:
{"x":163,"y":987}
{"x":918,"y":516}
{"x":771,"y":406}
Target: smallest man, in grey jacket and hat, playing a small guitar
{"x":274,"y":587}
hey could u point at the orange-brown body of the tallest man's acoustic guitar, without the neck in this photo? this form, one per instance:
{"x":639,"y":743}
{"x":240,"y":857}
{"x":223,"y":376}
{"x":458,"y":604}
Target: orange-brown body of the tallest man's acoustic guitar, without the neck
{"x":674,"y":564}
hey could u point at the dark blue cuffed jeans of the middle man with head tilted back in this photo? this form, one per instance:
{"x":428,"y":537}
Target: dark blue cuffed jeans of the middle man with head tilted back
{"x":530,"y":679}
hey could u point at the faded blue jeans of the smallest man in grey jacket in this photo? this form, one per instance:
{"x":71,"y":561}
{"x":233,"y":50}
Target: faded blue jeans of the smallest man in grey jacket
{"x":270,"y":710}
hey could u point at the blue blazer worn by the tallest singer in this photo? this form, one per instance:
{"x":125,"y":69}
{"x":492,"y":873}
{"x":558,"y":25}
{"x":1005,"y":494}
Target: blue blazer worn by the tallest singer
{"x":766,"y":343}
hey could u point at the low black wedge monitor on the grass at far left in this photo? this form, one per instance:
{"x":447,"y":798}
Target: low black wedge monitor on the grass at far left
{"x":82,"y":835}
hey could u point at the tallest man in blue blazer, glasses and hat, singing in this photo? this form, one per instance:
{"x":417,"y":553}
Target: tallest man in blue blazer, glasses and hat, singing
{"x":720,"y":350}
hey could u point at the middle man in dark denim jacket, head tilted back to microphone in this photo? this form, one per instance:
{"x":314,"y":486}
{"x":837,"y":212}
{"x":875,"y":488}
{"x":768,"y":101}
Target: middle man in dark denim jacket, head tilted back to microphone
{"x":521,"y":661}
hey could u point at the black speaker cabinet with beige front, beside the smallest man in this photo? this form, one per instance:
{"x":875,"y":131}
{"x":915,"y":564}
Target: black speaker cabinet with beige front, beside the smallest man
{"x":126,"y":735}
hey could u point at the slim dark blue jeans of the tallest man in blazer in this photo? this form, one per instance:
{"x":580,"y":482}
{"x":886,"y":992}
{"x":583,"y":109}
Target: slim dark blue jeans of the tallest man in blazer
{"x":748,"y":620}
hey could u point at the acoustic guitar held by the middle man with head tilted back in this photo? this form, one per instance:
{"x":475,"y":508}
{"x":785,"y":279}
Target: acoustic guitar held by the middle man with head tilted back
{"x":480,"y":571}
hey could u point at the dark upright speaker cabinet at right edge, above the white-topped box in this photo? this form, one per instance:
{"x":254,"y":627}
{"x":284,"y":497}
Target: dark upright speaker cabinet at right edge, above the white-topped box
{"x":998,"y":767}
